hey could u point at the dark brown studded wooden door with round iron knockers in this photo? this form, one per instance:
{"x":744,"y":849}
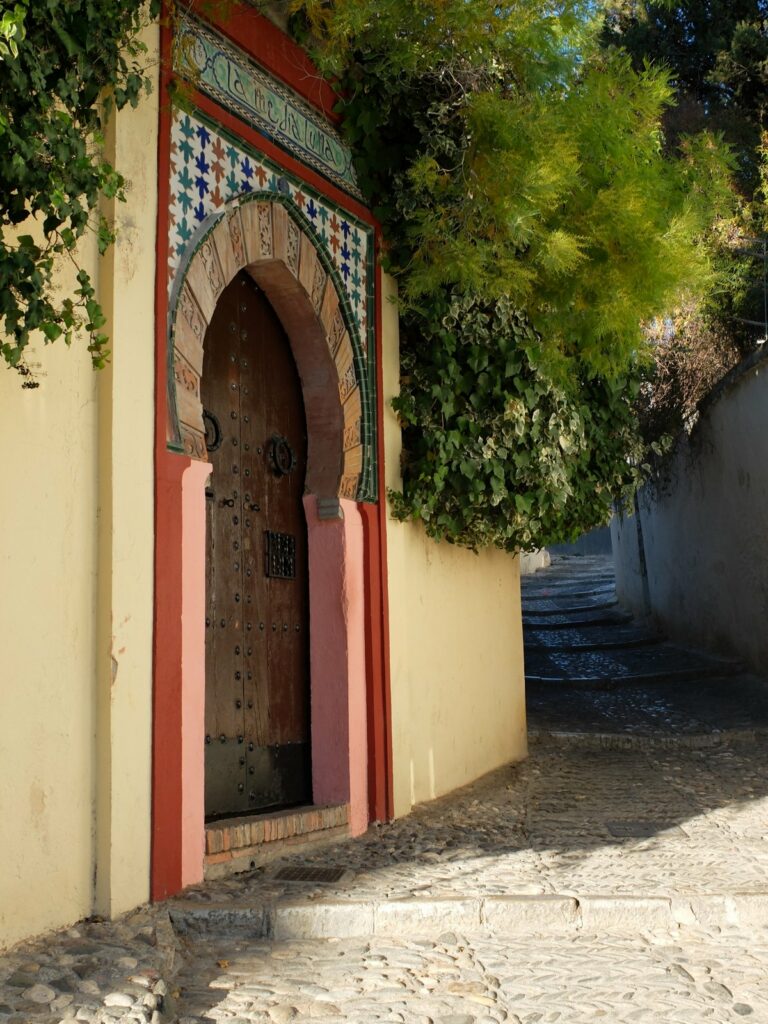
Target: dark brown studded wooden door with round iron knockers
{"x":258,"y":642}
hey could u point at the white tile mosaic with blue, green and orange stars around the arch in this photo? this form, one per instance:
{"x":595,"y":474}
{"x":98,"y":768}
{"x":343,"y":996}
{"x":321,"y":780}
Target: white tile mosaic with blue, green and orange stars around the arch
{"x":209,"y":168}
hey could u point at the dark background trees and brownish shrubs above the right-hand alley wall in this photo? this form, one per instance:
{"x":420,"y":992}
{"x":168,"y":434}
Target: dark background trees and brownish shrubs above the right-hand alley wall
{"x":716,"y":55}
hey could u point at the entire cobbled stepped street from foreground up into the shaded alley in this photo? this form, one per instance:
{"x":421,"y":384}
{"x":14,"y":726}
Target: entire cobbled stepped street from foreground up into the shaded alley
{"x":619,"y":875}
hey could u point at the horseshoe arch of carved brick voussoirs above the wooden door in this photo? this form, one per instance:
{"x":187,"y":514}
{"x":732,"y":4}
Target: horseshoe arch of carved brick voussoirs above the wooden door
{"x":285,"y":257}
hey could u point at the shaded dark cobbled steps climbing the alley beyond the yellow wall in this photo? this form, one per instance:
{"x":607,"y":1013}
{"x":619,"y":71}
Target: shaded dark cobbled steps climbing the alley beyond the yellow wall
{"x":649,"y":688}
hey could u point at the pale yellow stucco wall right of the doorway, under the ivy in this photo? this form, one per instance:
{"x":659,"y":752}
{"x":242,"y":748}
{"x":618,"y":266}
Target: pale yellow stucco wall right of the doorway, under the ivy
{"x":456,"y":643}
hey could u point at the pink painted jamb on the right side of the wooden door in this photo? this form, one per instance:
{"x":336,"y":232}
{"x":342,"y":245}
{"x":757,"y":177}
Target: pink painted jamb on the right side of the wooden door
{"x":337,"y":661}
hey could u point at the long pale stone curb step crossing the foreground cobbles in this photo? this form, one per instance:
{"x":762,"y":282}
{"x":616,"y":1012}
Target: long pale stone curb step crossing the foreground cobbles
{"x":498,"y":916}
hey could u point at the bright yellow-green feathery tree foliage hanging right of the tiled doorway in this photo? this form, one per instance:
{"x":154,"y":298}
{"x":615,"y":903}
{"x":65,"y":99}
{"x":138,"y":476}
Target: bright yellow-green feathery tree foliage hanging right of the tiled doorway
{"x":505,"y":156}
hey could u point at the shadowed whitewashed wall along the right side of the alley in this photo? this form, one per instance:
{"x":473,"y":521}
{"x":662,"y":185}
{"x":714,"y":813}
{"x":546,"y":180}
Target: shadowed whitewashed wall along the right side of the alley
{"x":706,"y":535}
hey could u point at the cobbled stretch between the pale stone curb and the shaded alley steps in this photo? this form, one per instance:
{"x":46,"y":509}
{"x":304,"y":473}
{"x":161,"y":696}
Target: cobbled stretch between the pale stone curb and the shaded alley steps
{"x":545,"y":827}
